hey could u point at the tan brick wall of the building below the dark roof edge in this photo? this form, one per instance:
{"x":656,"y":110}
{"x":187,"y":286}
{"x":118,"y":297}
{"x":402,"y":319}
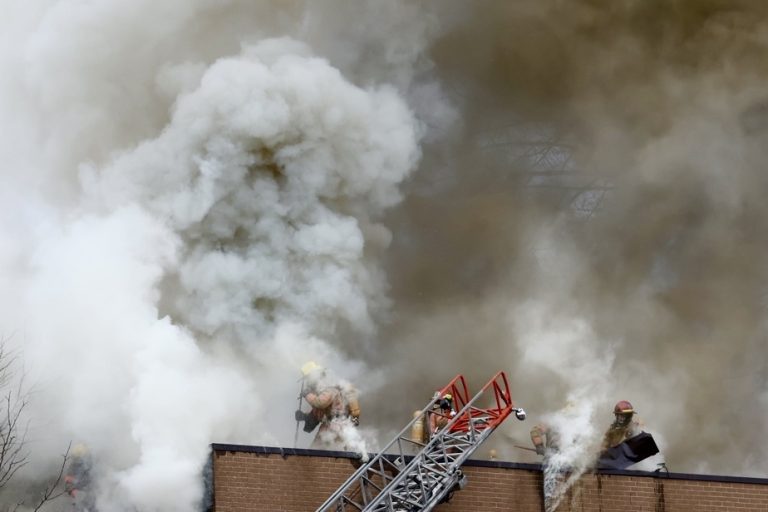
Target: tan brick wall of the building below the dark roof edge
{"x":248,"y":478}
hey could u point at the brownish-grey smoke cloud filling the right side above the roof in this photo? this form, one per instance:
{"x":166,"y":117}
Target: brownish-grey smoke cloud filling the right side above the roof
{"x":601,"y":221}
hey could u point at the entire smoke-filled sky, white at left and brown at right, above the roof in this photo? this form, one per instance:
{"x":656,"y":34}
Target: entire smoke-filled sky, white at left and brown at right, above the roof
{"x":198,"y":196}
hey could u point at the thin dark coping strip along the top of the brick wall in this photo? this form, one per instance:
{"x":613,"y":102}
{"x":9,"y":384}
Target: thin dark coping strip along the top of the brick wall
{"x":301,"y":452}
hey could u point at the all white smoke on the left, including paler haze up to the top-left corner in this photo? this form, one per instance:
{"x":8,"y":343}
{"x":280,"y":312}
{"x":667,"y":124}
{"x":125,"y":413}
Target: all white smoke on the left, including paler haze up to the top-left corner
{"x":169,"y":271}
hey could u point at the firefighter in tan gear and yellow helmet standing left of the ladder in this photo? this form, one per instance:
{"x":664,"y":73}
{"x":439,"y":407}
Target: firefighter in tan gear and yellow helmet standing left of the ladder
{"x":334,"y":407}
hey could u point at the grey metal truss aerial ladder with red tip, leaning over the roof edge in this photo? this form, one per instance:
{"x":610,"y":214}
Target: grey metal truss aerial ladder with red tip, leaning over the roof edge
{"x":395,"y":480}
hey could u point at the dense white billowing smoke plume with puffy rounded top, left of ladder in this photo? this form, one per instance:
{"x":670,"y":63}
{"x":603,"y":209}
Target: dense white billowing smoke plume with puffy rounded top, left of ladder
{"x":250,"y":218}
